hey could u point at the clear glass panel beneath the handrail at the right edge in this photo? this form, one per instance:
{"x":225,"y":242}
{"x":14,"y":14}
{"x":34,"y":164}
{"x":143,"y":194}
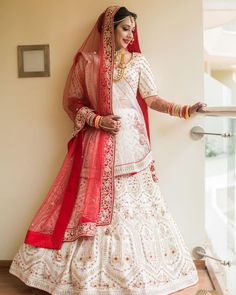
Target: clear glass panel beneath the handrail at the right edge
{"x":220,"y":193}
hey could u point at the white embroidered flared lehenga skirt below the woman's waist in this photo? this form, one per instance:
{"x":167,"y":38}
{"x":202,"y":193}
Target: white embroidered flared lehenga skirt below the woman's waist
{"x":140,"y":253}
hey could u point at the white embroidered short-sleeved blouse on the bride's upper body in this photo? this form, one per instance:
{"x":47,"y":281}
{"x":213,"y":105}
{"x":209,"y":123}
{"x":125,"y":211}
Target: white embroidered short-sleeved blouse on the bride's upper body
{"x":133,"y":152}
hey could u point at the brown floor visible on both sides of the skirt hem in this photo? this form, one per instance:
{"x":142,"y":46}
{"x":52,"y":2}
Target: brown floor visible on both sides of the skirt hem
{"x":10,"y":285}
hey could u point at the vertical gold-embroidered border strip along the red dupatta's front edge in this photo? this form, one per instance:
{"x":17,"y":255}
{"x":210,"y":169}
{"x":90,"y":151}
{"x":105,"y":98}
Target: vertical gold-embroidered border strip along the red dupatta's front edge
{"x":106,"y":80}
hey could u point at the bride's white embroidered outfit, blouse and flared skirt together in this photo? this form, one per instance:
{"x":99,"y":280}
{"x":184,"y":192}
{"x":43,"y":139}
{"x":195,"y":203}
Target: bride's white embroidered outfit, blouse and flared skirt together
{"x":142,"y":251}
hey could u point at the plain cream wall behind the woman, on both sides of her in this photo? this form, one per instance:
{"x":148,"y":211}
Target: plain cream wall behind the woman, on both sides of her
{"x":35,"y":130}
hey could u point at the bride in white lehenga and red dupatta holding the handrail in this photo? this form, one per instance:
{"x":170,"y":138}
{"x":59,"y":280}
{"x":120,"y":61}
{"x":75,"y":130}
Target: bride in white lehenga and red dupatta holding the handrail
{"x":103,"y":227}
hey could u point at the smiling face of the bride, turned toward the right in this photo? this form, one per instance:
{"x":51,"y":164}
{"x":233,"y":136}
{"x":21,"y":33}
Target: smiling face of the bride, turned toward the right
{"x":124,"y":32}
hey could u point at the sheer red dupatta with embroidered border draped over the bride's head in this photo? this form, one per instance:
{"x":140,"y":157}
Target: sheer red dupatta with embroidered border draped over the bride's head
{"x":81,"y":197}
